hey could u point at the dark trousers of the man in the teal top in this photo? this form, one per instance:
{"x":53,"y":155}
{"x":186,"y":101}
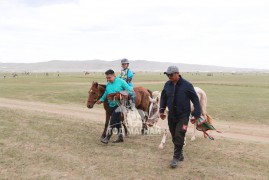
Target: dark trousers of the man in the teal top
{"x":115,"y":122}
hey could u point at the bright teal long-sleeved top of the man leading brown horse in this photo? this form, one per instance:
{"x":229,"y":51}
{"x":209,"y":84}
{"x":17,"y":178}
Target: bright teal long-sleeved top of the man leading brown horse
{"x":116,"y":86}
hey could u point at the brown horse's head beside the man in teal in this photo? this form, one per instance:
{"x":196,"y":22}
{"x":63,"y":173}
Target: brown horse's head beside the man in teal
{"x":96,"y":91}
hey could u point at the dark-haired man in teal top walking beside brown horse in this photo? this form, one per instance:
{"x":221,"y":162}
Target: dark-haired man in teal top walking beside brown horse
{"x":114,"y":85}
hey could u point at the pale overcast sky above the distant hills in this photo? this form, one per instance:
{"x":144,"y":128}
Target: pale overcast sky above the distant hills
{"x":230,"y":33}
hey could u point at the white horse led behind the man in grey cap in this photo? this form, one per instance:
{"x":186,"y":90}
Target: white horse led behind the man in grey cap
{"x":154,"y":112}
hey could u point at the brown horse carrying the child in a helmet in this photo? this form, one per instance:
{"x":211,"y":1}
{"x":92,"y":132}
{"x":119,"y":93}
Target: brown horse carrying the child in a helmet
{"x":142,"y":103}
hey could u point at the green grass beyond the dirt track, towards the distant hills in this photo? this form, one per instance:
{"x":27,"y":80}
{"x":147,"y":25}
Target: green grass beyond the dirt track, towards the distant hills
{"x":231,"y":97}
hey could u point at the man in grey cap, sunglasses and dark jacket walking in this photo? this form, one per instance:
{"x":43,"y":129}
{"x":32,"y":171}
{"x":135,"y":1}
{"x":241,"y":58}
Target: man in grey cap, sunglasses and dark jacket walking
{"x":176,"y":95}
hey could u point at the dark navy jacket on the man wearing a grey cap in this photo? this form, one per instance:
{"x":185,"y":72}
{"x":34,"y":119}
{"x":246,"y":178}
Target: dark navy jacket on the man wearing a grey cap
{"x":177,"y":98}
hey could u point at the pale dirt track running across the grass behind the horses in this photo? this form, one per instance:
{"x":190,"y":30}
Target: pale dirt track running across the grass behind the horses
{"x":235,"y":131}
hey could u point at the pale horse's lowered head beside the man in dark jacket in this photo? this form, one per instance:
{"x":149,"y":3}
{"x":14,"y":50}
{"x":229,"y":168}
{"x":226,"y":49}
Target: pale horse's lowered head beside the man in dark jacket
{"x":153,"y":115}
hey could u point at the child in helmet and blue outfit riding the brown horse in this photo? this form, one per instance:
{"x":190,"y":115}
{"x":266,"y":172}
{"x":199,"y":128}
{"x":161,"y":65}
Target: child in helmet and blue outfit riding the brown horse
{"x":127,"y":75}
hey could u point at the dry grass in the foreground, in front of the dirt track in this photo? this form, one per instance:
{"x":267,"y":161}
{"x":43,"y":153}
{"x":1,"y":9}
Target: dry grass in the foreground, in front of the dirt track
{"x":45,"y":146}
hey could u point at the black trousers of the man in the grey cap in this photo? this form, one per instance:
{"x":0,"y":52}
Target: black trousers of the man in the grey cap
{"x":178,"y":129}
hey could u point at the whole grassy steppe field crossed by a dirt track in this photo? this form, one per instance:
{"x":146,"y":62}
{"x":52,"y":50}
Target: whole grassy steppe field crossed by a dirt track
{"x":47,"y":132}
